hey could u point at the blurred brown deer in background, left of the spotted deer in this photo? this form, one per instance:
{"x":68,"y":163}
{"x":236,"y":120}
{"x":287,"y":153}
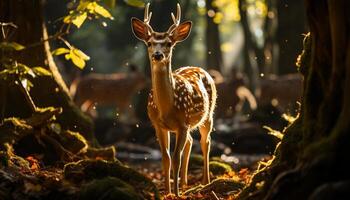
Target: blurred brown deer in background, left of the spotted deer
{"x":116,"y":89}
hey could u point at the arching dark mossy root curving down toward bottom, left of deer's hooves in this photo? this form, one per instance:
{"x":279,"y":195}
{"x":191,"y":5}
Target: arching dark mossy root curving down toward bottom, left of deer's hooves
{"x":97,"y":169}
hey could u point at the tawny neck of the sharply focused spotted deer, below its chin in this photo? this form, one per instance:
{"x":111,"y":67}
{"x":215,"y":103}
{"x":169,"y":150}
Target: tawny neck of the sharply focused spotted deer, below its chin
{"x":163,"y":86}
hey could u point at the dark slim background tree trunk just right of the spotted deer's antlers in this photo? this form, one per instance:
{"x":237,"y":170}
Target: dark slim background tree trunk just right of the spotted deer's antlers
{"x":214,"y":54}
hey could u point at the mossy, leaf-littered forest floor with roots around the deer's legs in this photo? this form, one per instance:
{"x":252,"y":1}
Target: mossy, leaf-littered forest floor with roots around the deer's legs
{"x":40,"y":160}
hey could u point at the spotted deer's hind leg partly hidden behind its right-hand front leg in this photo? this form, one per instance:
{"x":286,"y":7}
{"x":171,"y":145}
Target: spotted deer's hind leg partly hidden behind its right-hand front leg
{"x":185,"y":160}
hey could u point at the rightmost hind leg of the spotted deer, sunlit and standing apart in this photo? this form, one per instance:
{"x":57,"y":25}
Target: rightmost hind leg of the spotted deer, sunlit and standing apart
{"x":205,"y":130}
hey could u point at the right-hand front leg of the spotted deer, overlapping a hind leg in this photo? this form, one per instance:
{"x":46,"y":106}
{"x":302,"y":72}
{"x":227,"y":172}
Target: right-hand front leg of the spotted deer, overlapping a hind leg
{"x":181,"y":137}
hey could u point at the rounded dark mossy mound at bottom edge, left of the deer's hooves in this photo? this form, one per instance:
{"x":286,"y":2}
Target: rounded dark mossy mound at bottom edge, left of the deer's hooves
{"x":108,"y":188}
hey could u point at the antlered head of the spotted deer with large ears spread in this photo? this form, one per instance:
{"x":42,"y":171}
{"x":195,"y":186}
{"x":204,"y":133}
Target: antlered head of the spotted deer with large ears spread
{"x":160,"y":44}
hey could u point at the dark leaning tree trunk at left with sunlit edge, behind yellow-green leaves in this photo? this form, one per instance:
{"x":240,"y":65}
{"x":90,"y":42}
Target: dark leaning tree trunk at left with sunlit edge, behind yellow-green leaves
{"x":47,"y":91}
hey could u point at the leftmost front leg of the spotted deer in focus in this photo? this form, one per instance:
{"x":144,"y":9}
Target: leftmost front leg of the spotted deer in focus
{"x":163,"y":139}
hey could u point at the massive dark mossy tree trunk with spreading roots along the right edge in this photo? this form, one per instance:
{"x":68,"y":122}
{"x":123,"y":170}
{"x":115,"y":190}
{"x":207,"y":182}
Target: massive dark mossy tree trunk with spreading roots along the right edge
{"x":310,"y":161}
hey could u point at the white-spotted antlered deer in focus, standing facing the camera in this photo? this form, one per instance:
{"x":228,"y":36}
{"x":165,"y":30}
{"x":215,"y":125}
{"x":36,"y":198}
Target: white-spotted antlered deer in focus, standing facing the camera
{"x":179,"y":101}
